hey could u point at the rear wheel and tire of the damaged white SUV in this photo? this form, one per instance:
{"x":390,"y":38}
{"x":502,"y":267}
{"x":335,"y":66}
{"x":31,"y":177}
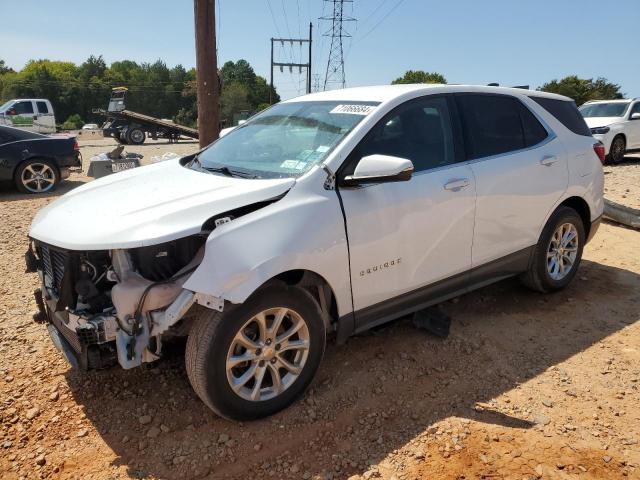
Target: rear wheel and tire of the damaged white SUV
{"x":557,"y":255}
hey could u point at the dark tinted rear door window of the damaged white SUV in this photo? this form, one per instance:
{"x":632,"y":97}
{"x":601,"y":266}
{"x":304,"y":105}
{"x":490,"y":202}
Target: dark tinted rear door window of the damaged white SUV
{"x":492,"y":124}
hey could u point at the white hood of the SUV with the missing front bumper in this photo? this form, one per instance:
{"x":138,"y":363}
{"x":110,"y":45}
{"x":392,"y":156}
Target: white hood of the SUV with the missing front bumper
{"x":146,"y":206}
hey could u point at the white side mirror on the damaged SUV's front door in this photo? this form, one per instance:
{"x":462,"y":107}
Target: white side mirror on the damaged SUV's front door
{"x":379,"y":169}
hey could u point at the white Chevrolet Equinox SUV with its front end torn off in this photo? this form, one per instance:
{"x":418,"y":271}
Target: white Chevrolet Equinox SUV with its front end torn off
{"x":332,"y":212}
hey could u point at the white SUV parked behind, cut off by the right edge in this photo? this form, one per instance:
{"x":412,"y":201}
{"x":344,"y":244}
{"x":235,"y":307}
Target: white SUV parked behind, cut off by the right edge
{"x":616,"y":123}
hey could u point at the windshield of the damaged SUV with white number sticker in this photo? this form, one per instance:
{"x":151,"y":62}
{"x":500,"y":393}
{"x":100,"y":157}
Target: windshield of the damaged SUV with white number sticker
{"x":284,"y":141}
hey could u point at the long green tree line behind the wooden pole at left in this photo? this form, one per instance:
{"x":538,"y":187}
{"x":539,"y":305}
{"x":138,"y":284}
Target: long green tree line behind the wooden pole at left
{"x":154,"y":89}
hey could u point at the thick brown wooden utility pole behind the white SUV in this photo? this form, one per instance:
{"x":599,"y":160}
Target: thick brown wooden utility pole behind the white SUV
{"x":207,"y":72}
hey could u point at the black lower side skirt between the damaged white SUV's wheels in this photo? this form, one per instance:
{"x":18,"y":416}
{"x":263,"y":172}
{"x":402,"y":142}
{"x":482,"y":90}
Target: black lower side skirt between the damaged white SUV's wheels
{"x":438,"y":292}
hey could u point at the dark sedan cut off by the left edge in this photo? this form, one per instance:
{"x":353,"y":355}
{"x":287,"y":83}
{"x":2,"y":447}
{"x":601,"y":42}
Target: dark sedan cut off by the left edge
{"x":36,"y":163}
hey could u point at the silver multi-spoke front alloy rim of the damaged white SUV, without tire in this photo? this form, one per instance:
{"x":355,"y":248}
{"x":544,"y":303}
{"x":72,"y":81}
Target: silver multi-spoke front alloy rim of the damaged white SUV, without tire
{"x":268,"y":354}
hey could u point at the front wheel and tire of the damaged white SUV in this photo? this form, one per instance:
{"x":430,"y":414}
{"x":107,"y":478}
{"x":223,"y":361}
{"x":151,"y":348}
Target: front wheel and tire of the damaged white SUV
{"x":256,"y":358}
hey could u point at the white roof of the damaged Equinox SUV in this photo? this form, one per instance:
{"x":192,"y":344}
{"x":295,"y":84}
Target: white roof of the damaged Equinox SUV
{"x":384,"y":93}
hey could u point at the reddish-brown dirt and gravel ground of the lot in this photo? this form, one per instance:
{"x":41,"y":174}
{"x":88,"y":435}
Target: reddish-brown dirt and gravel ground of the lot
{"x":526,"y":386}
